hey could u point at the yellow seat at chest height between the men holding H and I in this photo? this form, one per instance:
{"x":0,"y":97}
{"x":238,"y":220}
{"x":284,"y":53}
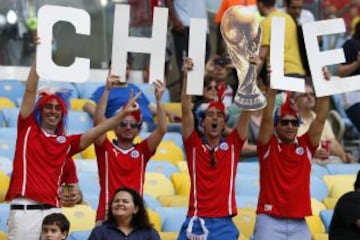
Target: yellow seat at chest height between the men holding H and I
{"x":167,"y":150}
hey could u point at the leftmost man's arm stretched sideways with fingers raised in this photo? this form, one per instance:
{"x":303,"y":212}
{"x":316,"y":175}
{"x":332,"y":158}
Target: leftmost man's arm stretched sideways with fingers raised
{"x":91,"y":135}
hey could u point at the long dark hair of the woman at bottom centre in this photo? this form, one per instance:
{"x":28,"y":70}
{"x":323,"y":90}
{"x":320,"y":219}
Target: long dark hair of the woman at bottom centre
{"x":140,"y":219}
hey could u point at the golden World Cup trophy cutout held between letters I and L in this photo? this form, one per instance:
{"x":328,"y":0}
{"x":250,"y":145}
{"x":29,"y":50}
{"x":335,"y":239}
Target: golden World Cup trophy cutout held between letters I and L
{"x":241,"y":32}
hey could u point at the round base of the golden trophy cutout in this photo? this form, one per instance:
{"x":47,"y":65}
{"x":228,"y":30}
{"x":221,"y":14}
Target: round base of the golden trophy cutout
{"x":250,"y":102}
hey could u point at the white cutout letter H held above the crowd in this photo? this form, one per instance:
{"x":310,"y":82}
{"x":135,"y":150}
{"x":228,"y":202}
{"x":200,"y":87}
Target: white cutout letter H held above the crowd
{"x":123,"y":43}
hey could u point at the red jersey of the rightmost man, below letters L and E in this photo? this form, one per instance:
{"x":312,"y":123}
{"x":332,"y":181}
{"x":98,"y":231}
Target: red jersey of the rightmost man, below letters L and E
{"x":285,"y":178}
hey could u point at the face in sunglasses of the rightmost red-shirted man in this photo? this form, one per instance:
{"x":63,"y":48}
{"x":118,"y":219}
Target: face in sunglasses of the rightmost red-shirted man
{"x":287,"y":128}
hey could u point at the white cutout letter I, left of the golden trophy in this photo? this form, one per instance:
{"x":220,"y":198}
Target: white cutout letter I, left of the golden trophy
{"x":197,"y":47}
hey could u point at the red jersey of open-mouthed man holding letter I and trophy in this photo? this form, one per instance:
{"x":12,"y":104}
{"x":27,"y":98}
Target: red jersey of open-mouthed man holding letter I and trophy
{"x":212,"y":192}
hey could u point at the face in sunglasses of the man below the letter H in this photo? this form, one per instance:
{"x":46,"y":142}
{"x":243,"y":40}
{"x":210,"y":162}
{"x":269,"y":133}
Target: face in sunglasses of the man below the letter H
{"x":127,"y":129}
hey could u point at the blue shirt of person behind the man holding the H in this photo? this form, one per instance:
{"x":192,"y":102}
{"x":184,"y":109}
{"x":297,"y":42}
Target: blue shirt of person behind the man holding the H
{"x":119,"y":96}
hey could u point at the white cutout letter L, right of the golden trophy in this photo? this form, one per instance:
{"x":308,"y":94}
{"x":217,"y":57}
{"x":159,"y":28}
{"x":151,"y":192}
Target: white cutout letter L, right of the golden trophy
{"x":277,"y":43}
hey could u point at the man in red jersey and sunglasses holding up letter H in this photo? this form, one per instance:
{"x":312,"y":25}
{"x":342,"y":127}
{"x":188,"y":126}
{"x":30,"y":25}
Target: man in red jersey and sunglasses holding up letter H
{"x":120,"y":161}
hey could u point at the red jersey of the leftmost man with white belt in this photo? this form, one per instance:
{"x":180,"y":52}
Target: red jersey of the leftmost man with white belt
{"x":39,"y":162}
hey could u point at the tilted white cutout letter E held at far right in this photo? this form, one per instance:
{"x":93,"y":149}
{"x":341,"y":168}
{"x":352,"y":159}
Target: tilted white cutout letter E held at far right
{"x":318,"y":59}
